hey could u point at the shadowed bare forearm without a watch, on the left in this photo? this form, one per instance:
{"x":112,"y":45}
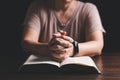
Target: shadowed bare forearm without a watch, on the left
{"x":35,"y":48}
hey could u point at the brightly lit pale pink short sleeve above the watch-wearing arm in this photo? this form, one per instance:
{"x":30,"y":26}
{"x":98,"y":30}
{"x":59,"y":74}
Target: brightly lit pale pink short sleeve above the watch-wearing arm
{"x":92,"y":19}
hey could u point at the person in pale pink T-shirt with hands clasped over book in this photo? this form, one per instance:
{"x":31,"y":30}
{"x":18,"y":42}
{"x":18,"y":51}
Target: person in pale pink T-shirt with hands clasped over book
{"x":63,"y":28}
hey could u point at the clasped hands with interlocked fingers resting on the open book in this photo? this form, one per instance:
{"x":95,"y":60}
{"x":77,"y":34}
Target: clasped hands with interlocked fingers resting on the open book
{"x":61,"y":46}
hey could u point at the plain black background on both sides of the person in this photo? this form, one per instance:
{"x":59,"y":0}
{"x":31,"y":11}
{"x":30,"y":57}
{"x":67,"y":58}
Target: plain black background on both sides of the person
{"x":12,"y":14}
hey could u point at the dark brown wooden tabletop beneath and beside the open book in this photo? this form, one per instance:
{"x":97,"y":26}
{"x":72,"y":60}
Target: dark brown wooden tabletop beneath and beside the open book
{"x":109,"y":64}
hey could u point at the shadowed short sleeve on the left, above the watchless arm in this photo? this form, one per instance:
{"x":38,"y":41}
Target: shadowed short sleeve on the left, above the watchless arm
{"x":32,"y":19}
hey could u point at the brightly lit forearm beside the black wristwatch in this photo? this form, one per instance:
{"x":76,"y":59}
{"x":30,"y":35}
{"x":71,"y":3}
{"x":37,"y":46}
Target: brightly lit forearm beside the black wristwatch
{"x":90,"y":48}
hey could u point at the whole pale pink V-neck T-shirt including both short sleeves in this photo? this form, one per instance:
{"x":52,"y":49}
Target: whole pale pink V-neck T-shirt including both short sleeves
{"x":83,"y":22}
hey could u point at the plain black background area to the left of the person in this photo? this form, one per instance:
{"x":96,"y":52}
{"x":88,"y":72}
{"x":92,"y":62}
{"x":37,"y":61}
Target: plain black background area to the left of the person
{"x":12,"y":16}
